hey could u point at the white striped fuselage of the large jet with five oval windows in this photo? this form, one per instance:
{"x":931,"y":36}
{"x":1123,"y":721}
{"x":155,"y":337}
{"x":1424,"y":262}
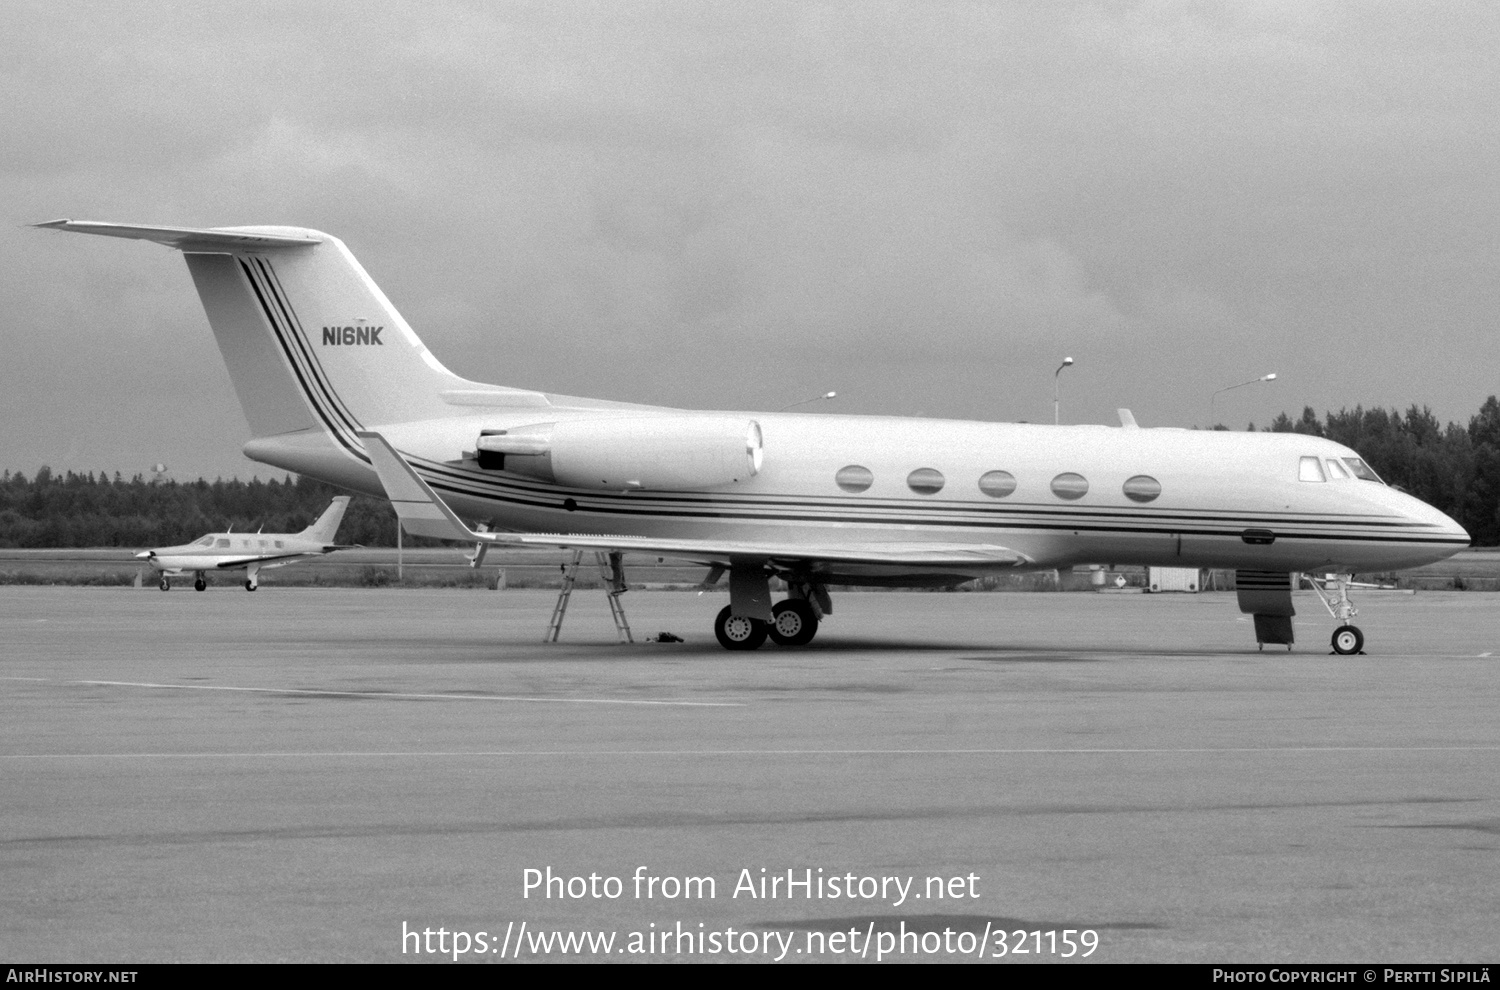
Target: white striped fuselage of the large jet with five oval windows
{"x":1225,"y":500}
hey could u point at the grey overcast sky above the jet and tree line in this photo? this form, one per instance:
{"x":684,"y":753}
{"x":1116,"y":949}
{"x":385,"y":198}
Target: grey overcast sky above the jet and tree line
{"x":922,"y":206}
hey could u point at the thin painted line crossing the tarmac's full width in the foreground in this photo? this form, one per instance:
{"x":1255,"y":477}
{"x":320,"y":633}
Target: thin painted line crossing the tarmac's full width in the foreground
{"x":637,"y":754}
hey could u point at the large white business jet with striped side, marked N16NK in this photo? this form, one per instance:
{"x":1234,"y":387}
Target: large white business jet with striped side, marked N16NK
{"x":337,"y":386}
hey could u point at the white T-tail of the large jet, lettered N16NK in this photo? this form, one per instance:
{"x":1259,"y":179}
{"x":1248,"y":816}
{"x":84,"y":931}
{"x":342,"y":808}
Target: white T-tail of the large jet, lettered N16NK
{"x":313,"y":346}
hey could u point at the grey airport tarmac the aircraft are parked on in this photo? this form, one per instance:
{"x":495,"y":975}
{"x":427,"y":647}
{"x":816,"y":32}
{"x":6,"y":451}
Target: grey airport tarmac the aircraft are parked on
{"x":308,"y":775}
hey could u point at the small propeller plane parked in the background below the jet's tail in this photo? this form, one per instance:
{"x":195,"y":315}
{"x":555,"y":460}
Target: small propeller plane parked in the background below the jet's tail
{"x":251,"y":553}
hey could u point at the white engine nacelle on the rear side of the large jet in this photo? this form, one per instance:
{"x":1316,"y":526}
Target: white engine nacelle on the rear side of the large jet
{"x":656,"y":452}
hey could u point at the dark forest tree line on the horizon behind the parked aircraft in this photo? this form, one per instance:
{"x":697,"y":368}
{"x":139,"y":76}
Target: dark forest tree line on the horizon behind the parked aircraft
{"x":1456,"y":469}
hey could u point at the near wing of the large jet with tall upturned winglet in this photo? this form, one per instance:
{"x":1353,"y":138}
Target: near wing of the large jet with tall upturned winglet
{"x":422,"y":512}
